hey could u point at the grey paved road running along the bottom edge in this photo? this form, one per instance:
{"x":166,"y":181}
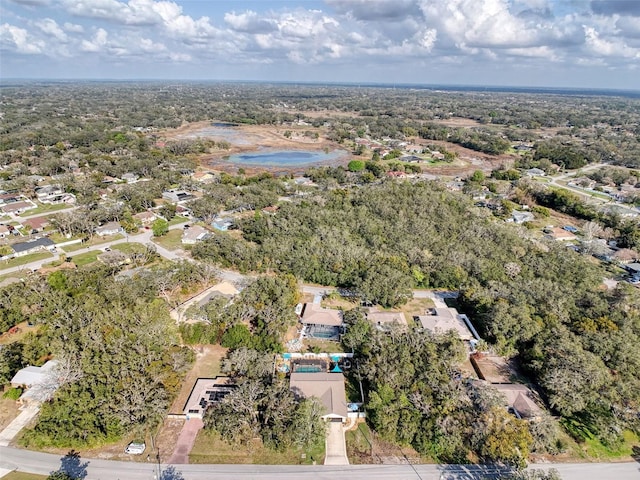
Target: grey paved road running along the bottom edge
{"x":43,"y":464}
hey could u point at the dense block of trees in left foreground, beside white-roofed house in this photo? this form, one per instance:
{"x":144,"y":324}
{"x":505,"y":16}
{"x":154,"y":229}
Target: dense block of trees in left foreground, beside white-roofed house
{"x":119,"y":354}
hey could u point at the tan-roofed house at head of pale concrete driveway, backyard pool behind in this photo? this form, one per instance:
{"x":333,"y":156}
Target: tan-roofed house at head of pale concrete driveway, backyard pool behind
{"x":327,"y":387}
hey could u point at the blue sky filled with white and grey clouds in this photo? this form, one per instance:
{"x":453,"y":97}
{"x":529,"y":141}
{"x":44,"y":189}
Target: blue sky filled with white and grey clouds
{"x":540,"y":43}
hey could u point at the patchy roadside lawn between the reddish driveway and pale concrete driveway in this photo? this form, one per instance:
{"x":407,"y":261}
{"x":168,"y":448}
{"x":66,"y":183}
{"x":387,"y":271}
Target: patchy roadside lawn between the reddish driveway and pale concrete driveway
{"x":210,"y":448}
